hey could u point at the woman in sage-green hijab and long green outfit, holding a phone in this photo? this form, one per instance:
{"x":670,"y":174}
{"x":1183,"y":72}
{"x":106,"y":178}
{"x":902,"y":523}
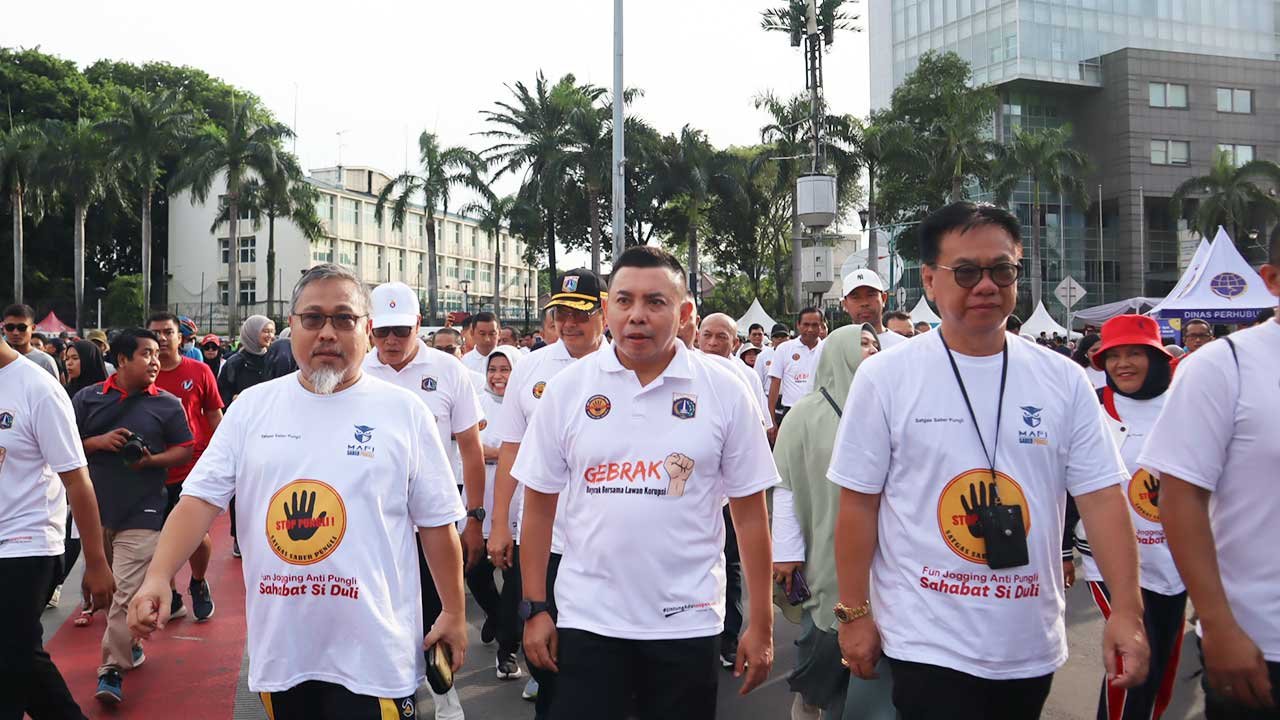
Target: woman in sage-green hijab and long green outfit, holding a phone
{"x":804,"y":534}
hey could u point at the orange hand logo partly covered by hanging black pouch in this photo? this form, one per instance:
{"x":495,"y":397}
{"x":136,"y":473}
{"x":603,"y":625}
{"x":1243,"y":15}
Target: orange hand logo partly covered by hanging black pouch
{"x":959,"y":505}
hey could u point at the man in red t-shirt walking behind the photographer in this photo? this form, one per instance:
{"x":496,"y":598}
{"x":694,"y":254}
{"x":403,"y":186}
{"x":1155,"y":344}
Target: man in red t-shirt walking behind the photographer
{"x":194,"y":384}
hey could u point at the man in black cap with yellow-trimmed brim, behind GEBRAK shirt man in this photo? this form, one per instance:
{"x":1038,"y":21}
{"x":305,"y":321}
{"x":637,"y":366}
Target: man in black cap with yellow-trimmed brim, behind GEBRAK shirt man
{"x":578,"y":309}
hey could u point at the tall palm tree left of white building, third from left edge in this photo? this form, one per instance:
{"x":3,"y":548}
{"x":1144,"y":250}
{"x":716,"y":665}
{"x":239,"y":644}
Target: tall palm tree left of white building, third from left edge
{"x":147,"y":129}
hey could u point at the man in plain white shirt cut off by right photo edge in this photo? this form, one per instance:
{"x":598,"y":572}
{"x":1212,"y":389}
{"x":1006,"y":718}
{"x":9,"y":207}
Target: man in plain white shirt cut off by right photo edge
{"x":1215,"y":453}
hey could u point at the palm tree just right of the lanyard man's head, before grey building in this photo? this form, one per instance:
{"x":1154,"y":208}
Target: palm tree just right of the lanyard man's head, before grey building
{"x":1045,"y":158}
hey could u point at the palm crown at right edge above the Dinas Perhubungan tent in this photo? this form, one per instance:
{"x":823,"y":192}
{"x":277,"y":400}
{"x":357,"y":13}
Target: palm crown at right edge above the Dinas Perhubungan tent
{"x":1229,"y":193}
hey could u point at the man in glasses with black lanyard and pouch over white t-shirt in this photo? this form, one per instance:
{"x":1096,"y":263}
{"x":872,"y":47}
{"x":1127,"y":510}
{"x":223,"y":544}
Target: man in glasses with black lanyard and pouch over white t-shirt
{"x":956,"y":454}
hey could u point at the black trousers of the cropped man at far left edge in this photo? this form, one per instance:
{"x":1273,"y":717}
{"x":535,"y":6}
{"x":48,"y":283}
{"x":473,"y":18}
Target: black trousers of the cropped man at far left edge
{"x":30,"y":682}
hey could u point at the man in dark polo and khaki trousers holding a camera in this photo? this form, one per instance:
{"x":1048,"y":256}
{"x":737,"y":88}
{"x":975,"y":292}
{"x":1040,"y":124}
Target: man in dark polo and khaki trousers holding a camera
{"x":132,"y":434}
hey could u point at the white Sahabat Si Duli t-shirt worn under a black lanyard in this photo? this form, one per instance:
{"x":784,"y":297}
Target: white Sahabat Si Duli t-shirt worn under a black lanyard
{"x":908,"y":435}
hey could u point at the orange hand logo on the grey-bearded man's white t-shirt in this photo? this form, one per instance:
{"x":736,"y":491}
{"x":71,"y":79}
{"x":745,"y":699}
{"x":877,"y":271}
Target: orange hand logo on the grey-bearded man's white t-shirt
{"x":305,"y":522}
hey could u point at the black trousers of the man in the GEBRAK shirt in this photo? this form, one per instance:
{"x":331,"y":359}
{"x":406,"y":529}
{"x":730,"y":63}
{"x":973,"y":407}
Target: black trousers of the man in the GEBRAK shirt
{"x":610,"y":678}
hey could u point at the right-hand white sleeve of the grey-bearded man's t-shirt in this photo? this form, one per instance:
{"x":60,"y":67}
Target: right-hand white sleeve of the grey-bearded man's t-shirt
{"x":433,"y":494}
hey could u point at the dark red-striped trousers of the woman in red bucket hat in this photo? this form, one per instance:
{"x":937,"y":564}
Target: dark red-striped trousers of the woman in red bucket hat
{"x":1165,"y":619}
